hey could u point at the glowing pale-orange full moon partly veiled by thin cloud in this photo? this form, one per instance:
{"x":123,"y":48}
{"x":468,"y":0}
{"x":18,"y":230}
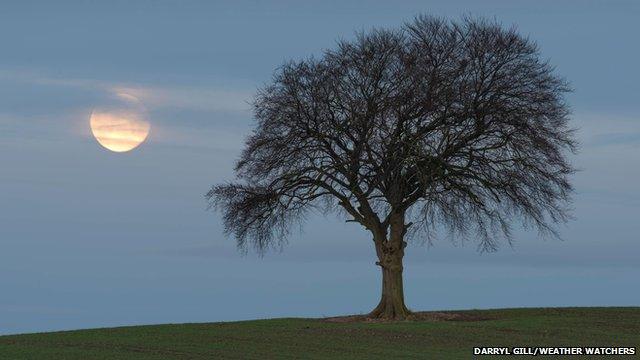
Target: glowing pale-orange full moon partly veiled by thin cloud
{"x":119,"y":130}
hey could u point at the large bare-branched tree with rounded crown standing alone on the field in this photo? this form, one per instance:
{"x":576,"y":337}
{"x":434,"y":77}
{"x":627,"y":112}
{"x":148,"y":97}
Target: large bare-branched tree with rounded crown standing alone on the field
{"x":440,"y":125}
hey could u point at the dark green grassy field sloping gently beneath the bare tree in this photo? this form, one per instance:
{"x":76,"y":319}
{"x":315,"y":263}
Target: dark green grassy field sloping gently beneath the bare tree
{"x":449,"y":335}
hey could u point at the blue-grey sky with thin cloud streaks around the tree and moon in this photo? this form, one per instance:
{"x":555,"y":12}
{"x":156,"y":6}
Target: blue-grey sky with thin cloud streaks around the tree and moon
{"x":93,"y":238}
